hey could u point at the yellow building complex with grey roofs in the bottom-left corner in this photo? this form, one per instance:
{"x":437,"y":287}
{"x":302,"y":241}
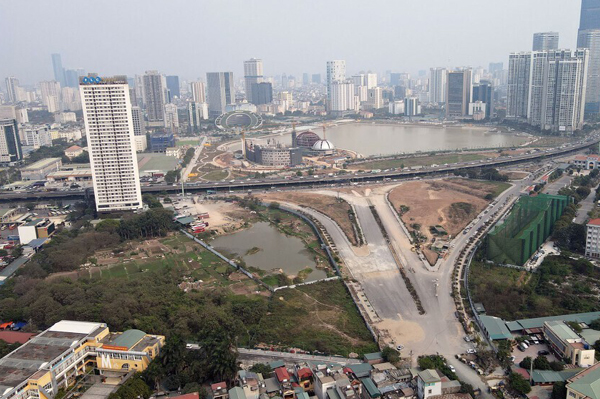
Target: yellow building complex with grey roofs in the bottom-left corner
{"x":54,"y":358}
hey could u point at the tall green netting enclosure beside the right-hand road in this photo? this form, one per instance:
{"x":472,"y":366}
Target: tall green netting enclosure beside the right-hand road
{"x":525,"y":229}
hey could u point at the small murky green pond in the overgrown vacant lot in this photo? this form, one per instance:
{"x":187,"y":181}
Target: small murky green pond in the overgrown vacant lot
{"x":277,"y":251}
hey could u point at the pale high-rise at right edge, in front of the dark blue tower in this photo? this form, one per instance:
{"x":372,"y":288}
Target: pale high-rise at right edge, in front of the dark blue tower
{"x":590,"y":39}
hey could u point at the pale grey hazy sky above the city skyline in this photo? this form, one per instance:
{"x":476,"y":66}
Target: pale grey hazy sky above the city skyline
{"x":191,"y":37}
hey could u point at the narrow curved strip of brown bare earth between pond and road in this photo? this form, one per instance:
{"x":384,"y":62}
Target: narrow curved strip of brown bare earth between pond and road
{"x":328,"y":205}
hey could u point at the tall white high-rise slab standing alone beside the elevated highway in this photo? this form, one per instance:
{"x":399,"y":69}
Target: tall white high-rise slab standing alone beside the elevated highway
{"x":109,"y":128}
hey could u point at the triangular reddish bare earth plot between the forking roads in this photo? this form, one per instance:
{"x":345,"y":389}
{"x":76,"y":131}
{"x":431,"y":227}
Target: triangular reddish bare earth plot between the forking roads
{"x":452,"y":204}
